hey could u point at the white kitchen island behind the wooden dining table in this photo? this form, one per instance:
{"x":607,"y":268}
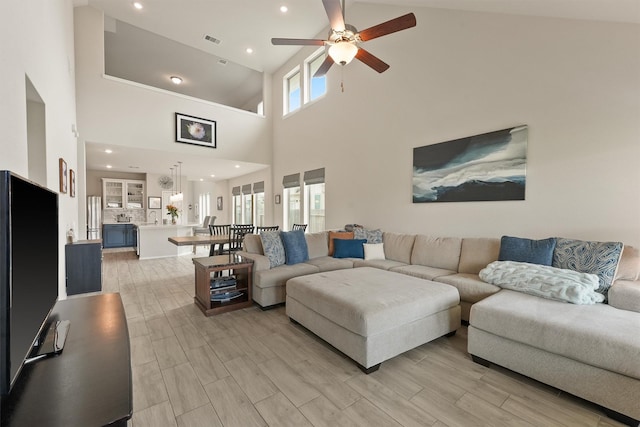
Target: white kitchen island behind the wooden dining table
{"x":153,"y":240}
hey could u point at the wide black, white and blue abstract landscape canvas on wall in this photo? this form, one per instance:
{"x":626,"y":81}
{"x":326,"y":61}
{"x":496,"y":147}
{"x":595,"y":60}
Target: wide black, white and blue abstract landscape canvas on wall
{"x":487,"y":167}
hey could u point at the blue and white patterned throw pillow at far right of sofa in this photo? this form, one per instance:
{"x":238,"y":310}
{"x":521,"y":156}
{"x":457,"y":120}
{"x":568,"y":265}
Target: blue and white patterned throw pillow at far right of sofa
{"x":599,"y":258}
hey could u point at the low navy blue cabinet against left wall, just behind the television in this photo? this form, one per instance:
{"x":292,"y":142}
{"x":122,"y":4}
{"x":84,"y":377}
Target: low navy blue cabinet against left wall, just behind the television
{"x":83,"y":265}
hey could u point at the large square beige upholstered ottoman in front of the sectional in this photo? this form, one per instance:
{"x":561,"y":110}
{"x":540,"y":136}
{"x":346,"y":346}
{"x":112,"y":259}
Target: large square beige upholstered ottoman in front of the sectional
{"x":370,"y":314}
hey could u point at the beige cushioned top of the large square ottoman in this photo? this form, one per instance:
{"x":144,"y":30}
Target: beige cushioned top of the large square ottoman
{"x":368,"y":301}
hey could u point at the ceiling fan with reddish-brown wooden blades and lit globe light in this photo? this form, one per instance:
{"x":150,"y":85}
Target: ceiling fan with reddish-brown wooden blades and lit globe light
{"x":343,"y":39}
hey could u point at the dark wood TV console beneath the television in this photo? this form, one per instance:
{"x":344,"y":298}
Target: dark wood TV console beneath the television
{"x":89,"y":383}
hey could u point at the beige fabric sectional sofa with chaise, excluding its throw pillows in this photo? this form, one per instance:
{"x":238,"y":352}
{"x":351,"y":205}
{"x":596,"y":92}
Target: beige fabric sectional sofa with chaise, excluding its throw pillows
{"x":592,"y":351}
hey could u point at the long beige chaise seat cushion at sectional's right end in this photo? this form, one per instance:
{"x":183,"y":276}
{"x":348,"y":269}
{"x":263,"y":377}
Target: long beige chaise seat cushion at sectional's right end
{"x":598,"y":335}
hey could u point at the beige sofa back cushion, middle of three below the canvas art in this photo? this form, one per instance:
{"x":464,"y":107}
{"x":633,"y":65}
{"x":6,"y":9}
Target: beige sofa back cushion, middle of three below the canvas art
{"x":438,"y":252}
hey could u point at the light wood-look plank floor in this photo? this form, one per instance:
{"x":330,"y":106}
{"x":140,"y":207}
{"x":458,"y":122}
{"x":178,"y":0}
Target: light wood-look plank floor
{"x":255,"y":368}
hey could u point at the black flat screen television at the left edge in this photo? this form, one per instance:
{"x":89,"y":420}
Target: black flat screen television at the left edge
{"x":28,"y":271}
